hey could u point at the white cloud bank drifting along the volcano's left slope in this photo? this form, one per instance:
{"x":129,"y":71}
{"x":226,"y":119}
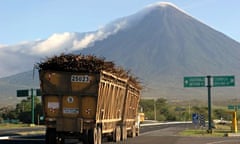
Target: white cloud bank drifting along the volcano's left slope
{"x":21,"y":57}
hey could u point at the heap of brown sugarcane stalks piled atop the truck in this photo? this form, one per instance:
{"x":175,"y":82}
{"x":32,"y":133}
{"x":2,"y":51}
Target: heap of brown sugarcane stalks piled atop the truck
{"x":83,"y":64}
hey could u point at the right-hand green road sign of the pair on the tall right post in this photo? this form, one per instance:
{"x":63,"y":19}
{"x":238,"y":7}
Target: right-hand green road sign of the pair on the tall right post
{"x":222,"y":81}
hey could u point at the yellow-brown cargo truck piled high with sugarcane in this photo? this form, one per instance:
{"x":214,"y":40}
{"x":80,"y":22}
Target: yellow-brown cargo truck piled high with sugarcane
{"x":86,"y":99}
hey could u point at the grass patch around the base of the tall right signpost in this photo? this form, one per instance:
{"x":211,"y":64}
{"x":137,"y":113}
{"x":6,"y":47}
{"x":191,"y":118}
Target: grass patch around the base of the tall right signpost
{"x":219,"y":131}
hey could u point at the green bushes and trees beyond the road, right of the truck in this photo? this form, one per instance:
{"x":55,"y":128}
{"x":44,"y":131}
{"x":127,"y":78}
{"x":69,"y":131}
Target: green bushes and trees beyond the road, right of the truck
{"x":162,"y":110}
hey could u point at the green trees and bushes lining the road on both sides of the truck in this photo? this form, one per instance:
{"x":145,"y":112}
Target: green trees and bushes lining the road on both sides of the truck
{"x":159,"y":109}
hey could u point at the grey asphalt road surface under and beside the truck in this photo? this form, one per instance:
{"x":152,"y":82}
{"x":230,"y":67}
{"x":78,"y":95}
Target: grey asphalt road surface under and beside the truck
{"x":165,"y":134}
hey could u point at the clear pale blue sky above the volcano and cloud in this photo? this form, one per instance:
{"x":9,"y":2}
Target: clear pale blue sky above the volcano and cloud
{"x":29,"y":20}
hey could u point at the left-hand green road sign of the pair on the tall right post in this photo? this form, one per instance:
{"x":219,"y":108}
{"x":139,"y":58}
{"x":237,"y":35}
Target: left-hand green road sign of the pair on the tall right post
{"x":196,"y":81}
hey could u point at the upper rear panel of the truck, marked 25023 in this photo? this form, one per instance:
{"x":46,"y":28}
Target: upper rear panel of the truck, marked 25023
{"x":68,"y":83}
